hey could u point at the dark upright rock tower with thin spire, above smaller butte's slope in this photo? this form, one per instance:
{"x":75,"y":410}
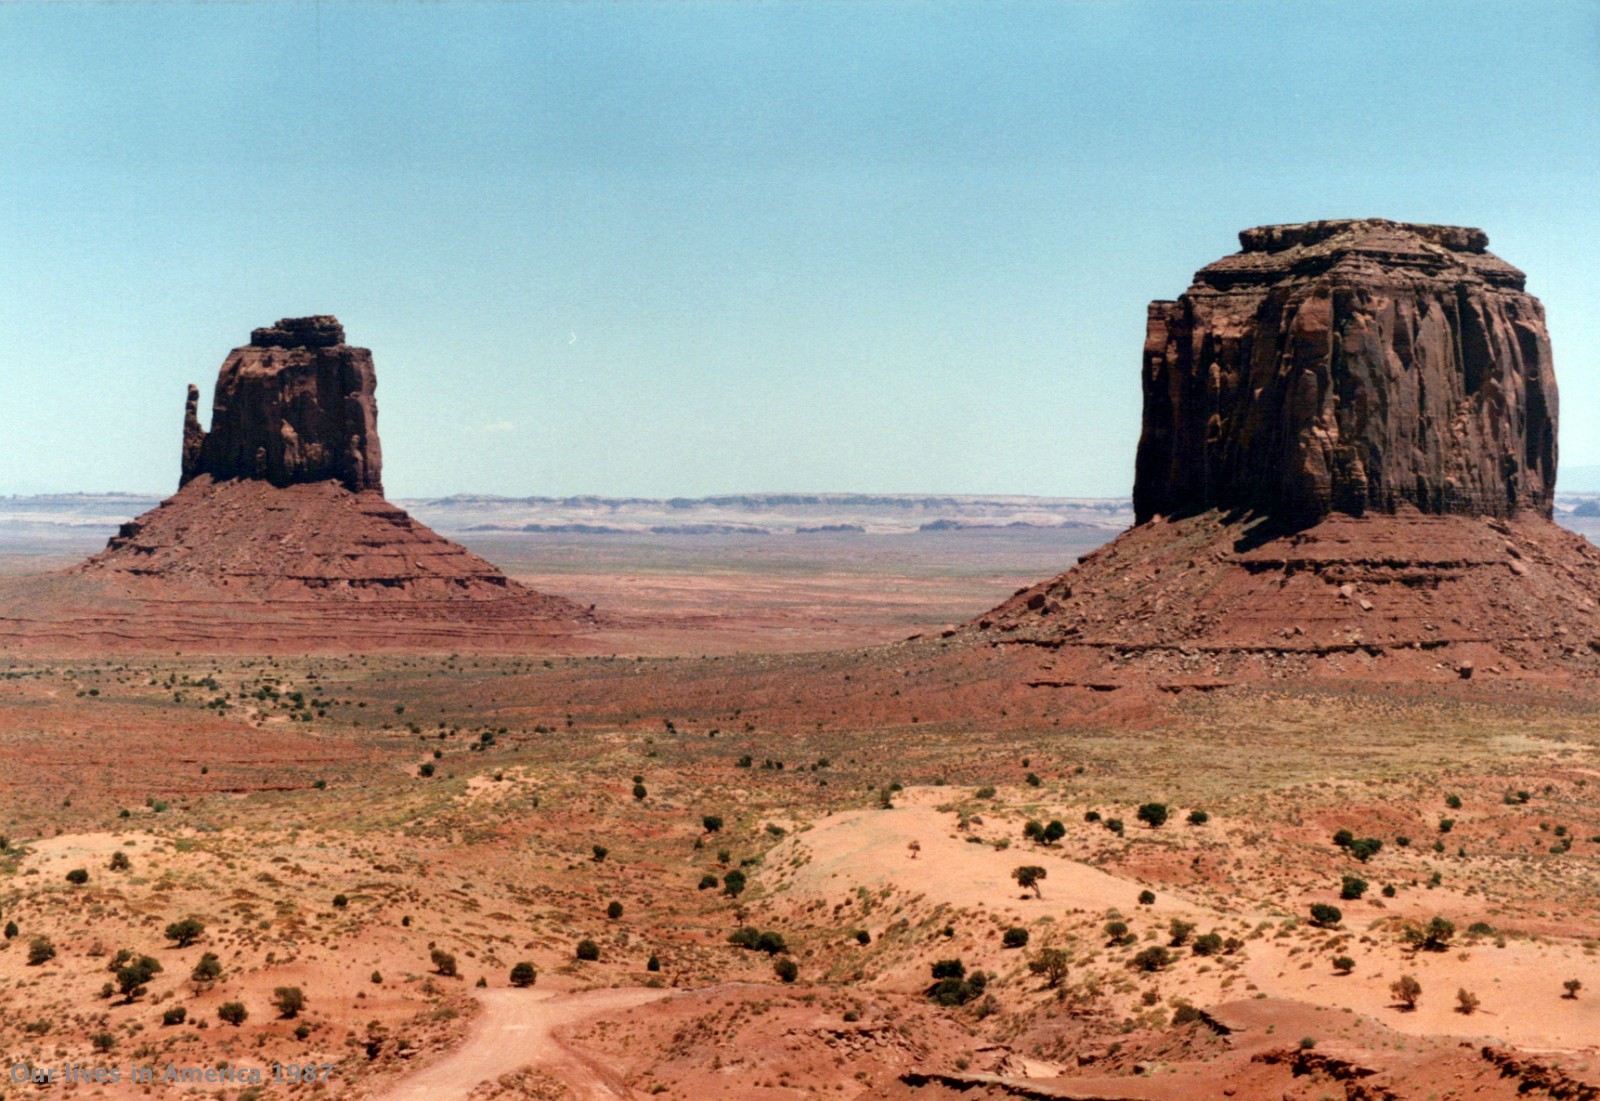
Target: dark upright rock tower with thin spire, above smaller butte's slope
{"x":295,"y":406}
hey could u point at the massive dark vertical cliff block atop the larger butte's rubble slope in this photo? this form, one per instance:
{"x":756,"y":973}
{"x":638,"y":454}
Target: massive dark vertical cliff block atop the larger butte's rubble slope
{"x":1353,"y":367}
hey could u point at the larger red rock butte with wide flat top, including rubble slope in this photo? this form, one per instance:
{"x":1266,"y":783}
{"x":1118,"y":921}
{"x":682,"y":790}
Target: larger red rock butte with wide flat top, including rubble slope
{"x":1346,"y":470}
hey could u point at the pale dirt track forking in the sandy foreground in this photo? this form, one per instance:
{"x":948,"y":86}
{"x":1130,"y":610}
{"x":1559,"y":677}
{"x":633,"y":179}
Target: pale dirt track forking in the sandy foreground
{"x":518,"y":1030}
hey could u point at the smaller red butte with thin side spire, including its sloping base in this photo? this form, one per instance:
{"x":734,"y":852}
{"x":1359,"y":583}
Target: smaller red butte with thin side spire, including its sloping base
{"x":281,"y":538}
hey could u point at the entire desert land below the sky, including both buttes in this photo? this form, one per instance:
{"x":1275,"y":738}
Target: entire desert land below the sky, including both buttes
{"x":1268,"y":796}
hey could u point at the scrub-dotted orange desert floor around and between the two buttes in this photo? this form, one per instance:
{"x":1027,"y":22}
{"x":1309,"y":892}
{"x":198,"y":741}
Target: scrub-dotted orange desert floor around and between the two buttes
{"x":393,"y":835}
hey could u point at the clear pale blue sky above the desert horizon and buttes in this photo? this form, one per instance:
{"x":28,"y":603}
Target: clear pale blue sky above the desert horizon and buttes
{"x":687,"y":249}
